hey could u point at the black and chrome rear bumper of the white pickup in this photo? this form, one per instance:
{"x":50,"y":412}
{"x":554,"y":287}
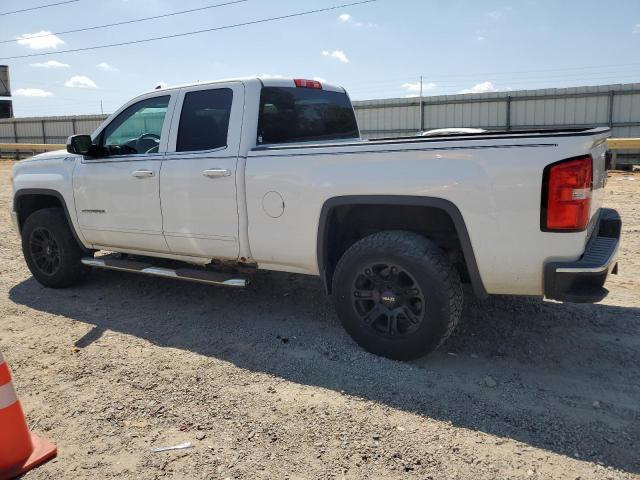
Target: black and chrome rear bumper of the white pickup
{"x":582,"y":281}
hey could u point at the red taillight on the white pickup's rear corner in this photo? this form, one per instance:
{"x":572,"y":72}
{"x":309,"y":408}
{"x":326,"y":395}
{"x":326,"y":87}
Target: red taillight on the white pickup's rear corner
{"x":566,"y":195}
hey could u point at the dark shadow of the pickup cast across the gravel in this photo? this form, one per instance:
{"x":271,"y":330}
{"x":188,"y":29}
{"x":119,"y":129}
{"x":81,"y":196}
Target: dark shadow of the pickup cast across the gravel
{"x":564,"y":378}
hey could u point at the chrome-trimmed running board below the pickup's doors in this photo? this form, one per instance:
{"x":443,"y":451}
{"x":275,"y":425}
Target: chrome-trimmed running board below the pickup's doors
{"x":191,"y":274}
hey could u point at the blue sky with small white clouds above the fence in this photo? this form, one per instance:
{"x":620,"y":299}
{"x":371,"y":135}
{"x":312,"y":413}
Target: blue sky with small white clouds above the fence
{"x":375,"y":50}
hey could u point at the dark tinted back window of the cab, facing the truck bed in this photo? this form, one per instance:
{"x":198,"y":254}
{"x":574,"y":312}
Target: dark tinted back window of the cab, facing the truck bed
{"x":292,"y":114}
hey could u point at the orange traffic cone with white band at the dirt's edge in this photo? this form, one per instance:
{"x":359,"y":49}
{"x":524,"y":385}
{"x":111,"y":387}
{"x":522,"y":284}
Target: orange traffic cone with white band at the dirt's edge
{"x":20,"y":450}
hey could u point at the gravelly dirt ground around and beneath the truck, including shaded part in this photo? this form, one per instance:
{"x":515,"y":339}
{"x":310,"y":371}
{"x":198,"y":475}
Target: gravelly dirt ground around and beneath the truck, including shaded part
{"x":265,"y":383}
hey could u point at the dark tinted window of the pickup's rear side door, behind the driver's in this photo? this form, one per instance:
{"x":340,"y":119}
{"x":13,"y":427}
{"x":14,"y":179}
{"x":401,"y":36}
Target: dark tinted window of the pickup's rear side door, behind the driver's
{"x":204,"y":121}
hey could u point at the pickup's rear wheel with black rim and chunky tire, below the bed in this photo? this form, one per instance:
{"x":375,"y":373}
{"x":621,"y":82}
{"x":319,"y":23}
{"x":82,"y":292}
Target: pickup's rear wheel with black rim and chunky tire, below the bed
{"x":397,"y":295}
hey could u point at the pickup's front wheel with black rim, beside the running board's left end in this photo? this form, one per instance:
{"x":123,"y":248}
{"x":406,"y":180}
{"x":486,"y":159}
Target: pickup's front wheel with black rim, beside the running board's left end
{"x":50,"y":249}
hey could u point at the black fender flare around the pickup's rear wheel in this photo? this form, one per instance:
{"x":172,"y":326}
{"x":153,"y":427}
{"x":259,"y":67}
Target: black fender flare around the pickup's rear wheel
{"x":326,"y":255}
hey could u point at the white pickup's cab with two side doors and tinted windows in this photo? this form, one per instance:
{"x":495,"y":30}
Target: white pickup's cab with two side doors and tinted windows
{"x":187,"y":143}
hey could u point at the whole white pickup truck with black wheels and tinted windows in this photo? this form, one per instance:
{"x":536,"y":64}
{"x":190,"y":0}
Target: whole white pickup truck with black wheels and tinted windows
{"x":209,"y":182}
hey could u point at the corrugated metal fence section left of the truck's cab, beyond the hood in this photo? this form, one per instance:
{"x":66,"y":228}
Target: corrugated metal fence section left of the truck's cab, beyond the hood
{"x":47,"y":129}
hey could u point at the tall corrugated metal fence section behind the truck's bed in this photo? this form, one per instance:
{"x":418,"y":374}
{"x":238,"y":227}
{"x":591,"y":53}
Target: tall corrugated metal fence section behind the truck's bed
{"x":617,"y":106}
